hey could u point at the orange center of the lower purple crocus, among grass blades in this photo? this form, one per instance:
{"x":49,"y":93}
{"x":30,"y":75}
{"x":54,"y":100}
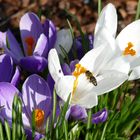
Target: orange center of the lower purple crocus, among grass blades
{"x":39,"y":117}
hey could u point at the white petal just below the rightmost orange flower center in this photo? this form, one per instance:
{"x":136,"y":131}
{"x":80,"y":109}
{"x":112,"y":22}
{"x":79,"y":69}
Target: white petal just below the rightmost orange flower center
{"x":118,"y":64}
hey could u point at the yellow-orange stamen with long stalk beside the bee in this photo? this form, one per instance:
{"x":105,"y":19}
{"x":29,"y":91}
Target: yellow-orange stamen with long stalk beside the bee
{"x":78,"y":70}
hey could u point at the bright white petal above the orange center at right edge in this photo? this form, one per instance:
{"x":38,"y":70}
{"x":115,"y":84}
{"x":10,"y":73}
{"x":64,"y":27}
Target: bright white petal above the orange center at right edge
{"x":130,"y":34}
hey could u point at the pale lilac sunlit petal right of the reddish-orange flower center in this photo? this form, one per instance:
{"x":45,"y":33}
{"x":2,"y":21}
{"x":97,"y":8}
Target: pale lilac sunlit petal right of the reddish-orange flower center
{"x":41,"y":48}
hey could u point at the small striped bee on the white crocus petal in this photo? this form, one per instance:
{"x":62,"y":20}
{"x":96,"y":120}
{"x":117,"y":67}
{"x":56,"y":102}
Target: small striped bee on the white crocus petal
{"x":91,"y":78}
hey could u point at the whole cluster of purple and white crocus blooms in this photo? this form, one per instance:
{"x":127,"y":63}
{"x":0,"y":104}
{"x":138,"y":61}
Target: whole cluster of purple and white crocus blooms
{"x":102,"y":69}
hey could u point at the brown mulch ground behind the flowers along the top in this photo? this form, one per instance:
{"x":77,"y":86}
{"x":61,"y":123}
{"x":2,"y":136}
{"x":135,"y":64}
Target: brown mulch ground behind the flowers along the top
{"x":12,"y":10}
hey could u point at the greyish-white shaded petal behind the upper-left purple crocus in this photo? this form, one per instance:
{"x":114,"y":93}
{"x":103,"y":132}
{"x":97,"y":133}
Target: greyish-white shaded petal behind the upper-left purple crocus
{"x":64,"y":39}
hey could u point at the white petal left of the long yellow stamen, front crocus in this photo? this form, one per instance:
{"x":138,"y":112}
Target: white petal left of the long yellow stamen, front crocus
{"x":64,"y":86}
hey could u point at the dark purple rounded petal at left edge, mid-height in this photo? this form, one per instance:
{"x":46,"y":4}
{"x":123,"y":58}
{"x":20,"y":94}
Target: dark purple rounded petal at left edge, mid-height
{"x":6,"y":68}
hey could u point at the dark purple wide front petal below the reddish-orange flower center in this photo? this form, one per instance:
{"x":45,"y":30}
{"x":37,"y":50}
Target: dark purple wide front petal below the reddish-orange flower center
{"x":33,"y":63}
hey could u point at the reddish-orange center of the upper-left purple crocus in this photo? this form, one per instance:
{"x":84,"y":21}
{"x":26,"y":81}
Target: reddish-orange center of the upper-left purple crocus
{"x":30,"y":42}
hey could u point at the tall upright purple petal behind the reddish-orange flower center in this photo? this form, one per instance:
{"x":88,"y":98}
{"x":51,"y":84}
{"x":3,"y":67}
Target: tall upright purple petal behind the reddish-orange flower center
{"x":30,"y":26}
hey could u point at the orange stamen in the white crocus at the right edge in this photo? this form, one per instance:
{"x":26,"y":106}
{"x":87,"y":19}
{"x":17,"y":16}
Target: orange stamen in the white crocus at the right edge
{"x":128,"y":50}
